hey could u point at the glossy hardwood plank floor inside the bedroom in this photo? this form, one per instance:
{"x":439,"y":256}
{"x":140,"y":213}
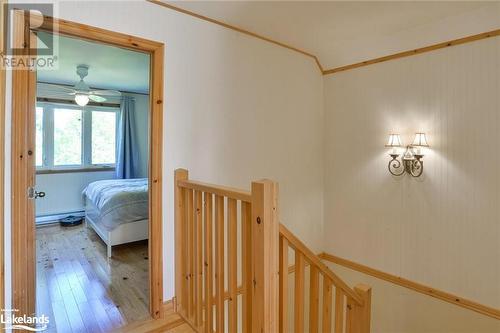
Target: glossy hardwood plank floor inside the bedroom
{"x":80,"y":290}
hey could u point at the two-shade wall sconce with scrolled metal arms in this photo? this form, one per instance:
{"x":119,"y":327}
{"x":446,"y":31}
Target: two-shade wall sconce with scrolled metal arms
{"x":411,"y":161}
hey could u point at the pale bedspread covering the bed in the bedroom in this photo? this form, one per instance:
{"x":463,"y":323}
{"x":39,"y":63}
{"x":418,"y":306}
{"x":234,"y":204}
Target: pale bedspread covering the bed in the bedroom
{"x":117,"y":201}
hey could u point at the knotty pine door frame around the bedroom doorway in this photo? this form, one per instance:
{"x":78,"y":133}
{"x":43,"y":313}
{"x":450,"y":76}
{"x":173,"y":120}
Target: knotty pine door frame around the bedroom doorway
{"x":23,"y":108}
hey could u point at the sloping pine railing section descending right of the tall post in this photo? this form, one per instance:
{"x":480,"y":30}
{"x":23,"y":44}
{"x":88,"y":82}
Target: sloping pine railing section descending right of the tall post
{"x":349,"y":313}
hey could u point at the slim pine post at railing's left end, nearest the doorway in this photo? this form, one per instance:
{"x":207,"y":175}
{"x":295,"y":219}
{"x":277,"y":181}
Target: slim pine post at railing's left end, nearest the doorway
{"x":180,"y":211}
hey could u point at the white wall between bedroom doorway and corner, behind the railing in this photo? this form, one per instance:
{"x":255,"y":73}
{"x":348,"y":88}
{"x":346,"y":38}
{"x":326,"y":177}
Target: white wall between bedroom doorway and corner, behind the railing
{"x":236,"y":109}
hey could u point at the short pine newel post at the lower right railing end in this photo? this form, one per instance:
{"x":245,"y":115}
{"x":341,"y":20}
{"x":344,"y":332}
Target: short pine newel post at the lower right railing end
{"x":359,"y":316}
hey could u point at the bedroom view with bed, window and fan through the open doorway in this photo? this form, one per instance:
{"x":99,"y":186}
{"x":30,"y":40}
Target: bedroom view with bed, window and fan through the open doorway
{"x":91,"y":186}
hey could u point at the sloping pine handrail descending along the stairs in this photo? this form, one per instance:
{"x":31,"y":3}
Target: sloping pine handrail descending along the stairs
{"x":313,"y":259}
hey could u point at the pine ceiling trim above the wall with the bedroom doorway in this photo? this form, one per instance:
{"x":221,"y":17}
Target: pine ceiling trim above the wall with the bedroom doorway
{"x":241,"y":30}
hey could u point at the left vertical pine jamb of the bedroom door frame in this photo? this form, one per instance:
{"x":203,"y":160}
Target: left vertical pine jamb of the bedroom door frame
{"x":22,"y":164}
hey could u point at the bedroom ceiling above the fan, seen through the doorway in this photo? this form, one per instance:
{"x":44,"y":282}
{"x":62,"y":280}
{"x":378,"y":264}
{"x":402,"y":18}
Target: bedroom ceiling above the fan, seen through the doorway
{"x":110,"y":67}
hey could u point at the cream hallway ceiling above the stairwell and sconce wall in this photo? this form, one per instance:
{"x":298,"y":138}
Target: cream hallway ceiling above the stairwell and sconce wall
{"x":339,"y":33}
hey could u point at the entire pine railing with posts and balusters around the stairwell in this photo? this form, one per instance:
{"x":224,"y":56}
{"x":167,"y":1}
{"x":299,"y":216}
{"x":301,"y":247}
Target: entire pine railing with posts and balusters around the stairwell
{"x":239,"y":270}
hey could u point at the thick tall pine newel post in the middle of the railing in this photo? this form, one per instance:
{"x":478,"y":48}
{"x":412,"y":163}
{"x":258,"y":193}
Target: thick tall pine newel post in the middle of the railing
{"x":265,"y":257}
